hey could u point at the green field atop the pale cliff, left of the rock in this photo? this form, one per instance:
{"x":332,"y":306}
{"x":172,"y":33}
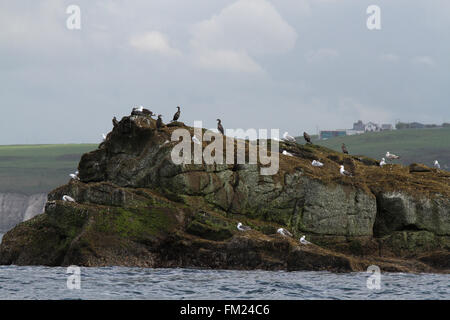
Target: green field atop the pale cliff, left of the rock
{"x":29,"y":169}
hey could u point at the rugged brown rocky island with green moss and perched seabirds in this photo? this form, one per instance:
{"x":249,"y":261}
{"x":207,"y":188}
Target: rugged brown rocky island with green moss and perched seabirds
{"x":135,"y":207}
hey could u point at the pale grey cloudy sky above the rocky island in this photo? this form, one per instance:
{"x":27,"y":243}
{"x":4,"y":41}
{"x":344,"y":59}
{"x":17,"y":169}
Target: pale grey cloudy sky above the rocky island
{"x":294,"y":65}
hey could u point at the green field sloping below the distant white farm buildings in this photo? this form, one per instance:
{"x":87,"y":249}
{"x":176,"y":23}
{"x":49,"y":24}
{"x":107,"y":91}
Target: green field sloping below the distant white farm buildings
{"x":413,"y":145}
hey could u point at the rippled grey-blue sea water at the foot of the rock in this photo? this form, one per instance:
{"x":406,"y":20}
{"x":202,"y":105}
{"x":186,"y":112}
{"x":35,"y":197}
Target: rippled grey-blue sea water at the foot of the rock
{"x":145,"y":283}
